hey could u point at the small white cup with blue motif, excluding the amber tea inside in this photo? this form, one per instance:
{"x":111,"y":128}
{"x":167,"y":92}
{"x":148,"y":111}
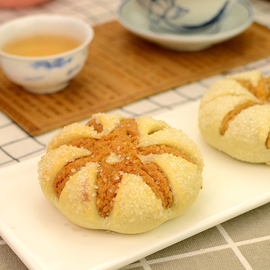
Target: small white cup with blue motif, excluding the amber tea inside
{"x":45,"y":74}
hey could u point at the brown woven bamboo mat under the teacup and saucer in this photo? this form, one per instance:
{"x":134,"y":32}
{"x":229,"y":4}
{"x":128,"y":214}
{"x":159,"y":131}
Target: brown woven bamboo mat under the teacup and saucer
{"x":122,"y":68}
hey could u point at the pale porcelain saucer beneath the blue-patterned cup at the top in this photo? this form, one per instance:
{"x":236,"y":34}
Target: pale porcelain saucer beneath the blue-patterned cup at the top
{"x":237,"y":21}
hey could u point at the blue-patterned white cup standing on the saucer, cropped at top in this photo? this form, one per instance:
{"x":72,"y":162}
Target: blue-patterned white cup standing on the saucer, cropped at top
{"x":185,"y":15}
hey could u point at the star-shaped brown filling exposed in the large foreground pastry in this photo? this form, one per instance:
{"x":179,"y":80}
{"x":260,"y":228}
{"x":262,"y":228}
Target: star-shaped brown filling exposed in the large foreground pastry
{"x":123,"y":142}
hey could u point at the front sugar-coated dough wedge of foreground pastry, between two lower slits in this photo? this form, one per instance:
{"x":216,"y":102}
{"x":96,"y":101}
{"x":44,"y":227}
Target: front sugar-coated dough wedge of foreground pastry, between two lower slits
{"x":136,"y":208}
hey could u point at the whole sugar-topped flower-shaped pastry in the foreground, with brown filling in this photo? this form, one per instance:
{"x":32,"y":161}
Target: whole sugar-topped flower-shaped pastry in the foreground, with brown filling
{"x":123,"y":175}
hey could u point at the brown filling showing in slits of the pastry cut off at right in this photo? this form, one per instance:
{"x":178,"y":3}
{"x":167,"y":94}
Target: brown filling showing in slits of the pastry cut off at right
{"x":261,"y":92}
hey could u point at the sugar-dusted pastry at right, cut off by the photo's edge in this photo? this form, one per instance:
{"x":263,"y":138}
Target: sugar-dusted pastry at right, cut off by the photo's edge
{"x":234,"y":116}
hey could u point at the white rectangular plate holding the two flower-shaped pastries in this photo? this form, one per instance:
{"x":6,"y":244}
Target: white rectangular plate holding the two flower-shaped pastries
{"x":44,"y":239}
